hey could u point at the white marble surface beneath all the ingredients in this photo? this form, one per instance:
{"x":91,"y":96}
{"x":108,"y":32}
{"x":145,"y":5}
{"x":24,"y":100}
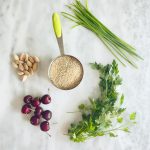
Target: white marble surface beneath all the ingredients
{"x":25,"y":26}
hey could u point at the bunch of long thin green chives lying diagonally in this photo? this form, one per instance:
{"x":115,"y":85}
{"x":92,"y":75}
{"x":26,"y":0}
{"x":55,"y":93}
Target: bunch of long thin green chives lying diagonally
{"x":120,"y":49}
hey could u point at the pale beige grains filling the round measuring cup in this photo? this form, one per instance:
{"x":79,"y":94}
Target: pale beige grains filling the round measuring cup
{"x":66,"y":72}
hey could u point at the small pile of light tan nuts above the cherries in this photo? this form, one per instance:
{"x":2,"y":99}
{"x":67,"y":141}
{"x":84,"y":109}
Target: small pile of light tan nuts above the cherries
{"x":25,"y":64}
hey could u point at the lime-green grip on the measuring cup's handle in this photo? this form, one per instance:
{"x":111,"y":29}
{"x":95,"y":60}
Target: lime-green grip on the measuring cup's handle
{"x":57,"y":25}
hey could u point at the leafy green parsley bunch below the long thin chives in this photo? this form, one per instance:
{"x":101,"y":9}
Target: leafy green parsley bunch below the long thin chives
{"x":104,"y":115}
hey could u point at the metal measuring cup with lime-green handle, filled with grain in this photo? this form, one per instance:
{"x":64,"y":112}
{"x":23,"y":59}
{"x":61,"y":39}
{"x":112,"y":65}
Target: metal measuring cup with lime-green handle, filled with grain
{"x":65,"y":71}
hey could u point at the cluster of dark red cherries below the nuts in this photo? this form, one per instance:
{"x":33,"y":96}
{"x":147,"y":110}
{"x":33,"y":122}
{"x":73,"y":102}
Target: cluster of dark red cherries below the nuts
{"x":33,"y":104}
